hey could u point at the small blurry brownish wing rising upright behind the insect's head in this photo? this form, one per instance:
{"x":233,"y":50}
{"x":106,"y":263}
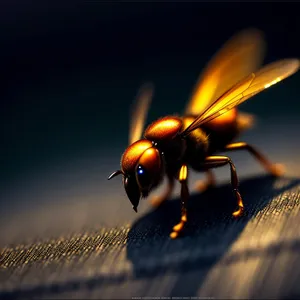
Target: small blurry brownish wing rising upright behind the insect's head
{"x":139,"y":112}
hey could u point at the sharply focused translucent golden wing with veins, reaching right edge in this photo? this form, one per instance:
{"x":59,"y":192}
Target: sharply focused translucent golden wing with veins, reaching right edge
{"x":245,"y":89}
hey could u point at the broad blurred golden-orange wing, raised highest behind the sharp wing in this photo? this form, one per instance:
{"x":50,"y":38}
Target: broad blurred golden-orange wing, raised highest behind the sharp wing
{"x":239,"y":57}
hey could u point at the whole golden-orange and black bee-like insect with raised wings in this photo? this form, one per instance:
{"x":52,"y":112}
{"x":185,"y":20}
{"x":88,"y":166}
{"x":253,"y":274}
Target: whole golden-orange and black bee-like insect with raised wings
{"x":173,"y":145}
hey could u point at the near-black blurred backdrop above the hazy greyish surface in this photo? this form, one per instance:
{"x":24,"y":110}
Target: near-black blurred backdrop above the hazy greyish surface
{"x":71,"y":69}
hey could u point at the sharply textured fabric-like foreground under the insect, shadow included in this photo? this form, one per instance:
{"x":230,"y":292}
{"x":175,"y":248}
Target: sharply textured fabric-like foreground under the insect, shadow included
{"x":256,"y":256}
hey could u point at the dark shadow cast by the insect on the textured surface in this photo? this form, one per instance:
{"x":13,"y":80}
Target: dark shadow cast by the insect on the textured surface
{"x":210,"y":232}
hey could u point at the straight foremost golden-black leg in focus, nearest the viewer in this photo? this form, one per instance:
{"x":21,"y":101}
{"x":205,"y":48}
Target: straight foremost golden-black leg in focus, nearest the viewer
{"x":183,"y":174}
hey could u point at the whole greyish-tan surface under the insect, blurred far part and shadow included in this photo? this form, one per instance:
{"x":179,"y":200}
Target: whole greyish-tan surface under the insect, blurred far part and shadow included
{"x":66,"y":233}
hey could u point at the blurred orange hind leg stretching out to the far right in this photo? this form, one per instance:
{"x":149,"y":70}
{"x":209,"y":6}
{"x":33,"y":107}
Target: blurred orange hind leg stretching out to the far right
{"x":274,"y":169}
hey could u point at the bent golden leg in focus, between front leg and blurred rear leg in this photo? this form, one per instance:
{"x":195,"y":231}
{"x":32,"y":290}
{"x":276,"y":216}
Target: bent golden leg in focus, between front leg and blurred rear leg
{"x":219,"y":161}
